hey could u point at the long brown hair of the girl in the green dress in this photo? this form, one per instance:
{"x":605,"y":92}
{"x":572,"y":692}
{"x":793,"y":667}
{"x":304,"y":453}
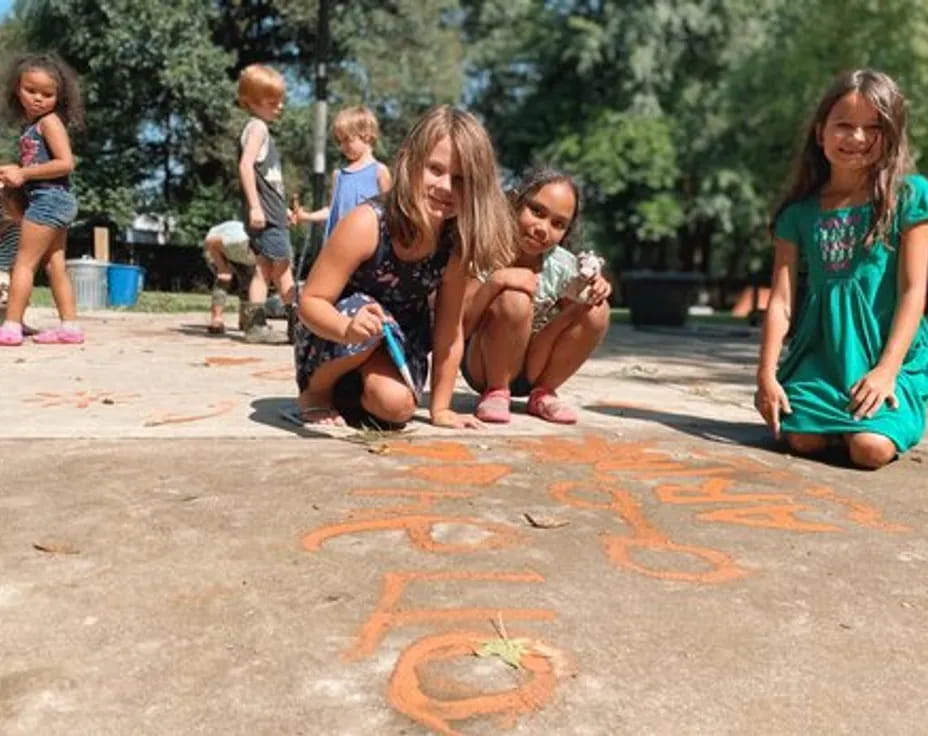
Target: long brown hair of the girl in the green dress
{"x":812,"y":170}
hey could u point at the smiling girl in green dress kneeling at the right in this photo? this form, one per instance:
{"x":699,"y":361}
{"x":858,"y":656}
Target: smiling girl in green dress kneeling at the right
{"x":857,"y":367}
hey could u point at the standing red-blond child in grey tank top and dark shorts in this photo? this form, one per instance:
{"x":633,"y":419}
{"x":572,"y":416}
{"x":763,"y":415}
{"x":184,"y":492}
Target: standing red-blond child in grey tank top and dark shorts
{"x":261,"y":93}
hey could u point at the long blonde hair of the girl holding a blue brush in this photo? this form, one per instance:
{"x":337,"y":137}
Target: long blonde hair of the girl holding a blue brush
{"x":484,"y":228}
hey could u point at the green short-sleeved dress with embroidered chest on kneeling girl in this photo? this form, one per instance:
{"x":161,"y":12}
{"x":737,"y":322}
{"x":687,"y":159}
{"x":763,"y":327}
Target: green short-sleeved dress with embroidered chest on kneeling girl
{"x":846,"y":318}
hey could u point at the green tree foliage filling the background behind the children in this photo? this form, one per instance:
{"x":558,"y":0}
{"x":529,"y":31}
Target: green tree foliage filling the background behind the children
{"x":678,"y":117}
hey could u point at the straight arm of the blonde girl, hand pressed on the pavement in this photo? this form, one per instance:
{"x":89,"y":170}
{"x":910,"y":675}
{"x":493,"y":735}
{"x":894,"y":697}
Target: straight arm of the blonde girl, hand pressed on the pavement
{"x":448,"y":346}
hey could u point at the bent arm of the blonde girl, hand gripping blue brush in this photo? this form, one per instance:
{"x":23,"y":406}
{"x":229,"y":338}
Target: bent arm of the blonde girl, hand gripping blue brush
{"x":351,"y":243}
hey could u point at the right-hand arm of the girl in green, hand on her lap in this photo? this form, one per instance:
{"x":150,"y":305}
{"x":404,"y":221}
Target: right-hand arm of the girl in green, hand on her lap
{"x":879,"y":384}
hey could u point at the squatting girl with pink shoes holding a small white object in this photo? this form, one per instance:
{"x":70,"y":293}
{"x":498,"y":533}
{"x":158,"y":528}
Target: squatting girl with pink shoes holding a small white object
{"x":525,"y":337}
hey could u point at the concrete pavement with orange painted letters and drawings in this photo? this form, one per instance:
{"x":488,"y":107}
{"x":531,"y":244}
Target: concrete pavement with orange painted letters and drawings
{"x":176,"y":559}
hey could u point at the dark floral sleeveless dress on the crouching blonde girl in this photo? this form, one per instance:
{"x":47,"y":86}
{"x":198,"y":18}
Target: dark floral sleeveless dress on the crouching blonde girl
{"x":401,"y":288}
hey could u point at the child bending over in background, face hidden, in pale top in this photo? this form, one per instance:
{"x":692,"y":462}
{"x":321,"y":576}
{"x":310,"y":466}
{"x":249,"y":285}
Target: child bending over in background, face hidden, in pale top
{"x":228,"y":254}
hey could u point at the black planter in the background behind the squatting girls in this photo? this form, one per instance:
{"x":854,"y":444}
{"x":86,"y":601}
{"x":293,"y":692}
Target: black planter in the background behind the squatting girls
{"x":660,"y":297}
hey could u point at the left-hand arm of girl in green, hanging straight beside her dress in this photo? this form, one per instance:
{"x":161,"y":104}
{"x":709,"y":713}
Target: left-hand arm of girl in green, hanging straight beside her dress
{"x":771,"y":399}
